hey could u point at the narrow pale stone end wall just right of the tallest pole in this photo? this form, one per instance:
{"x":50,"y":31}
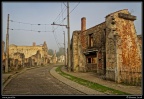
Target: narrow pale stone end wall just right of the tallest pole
{"x":78,"y":60}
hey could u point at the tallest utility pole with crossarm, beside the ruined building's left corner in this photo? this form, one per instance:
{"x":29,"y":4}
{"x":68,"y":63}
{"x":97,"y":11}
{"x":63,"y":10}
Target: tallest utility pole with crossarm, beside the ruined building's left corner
{"x":68,"y":28}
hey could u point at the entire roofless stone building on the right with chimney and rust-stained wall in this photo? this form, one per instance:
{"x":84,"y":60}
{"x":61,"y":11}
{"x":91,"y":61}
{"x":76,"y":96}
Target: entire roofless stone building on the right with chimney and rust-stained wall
{"x":111,"y":49}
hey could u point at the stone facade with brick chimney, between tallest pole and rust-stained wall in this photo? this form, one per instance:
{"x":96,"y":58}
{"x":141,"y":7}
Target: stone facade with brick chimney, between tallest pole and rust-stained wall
{"x":80,"y":44}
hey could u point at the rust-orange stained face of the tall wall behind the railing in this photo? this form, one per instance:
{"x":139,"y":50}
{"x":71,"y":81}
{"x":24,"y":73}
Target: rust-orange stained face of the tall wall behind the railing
{"x":130,"y":62}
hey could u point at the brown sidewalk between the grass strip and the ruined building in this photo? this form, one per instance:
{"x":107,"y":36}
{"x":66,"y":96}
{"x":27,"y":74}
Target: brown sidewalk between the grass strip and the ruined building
{"x":90,"y":76}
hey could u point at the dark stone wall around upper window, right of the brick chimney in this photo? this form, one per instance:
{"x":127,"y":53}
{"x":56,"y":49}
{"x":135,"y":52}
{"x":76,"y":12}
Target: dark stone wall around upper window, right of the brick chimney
{"x":98,"y":44}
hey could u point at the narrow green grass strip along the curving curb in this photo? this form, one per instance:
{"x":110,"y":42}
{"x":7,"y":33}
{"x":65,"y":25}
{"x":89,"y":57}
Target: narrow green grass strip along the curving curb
{"x":91,"y":85}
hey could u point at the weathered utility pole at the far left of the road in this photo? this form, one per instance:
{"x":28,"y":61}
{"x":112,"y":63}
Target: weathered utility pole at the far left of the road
{"x":7,"y":46}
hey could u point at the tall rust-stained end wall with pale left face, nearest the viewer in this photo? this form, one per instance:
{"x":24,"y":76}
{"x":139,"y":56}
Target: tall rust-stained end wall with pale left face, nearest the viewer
{"x":123,"y":60}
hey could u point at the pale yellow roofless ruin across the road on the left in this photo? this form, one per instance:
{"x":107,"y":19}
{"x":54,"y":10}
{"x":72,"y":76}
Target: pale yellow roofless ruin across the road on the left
{"x":28,"y":55}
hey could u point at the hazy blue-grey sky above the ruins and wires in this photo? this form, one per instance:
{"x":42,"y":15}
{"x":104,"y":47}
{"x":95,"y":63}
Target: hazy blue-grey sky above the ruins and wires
{"x":31,"y":21}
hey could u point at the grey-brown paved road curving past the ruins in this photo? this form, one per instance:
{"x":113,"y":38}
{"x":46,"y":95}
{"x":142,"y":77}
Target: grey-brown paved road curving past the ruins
{"x":38,"y":81}
